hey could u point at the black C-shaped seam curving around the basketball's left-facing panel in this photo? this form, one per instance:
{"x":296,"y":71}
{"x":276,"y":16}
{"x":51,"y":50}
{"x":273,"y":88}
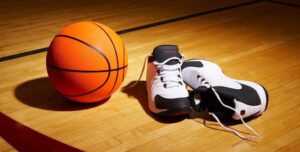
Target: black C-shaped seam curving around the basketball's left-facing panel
{"x":98,"y":51}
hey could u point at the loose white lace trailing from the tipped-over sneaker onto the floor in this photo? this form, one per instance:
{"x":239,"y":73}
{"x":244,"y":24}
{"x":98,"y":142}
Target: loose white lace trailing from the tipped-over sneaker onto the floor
{"x":202,"y":81}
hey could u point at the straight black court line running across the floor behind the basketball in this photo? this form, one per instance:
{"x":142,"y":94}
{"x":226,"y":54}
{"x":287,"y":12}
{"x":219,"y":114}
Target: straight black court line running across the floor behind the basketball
{"x":27,"y":53}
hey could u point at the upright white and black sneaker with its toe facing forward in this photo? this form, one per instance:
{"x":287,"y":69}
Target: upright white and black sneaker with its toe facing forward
{"x":167,"y":94}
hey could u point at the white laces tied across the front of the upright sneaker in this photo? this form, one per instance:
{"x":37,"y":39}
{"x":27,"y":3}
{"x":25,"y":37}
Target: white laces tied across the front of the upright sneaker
{"x":170,"y":75}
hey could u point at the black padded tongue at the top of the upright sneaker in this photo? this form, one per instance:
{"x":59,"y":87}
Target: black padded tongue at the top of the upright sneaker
{"x":163,"y":52}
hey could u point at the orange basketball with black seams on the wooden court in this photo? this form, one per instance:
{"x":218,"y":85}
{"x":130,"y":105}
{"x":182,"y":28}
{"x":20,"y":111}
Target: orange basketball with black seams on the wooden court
{"x":87,"y":62}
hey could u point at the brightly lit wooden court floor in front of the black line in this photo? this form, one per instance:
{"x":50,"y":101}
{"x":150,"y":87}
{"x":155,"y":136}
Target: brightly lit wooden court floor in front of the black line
{"x":249,"y":43}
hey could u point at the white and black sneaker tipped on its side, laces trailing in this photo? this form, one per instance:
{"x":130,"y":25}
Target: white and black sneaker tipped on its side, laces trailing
{"x":221,"y":95}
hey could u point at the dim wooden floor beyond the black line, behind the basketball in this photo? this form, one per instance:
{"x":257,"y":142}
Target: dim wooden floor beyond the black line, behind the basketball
{"x":29,"y":25}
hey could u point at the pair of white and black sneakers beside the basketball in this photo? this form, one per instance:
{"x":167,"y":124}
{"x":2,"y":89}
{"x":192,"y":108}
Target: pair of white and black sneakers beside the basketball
{"x":213,"y":91}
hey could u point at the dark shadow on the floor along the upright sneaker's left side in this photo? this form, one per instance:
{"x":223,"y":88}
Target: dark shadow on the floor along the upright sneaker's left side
{"x":139,"y":92}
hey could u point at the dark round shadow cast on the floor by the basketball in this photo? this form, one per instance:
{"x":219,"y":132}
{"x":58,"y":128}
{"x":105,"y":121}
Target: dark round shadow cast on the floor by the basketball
{"x":39,"y":93}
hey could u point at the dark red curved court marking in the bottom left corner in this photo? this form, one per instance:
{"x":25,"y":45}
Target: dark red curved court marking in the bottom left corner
{"x":25,"y":139}
